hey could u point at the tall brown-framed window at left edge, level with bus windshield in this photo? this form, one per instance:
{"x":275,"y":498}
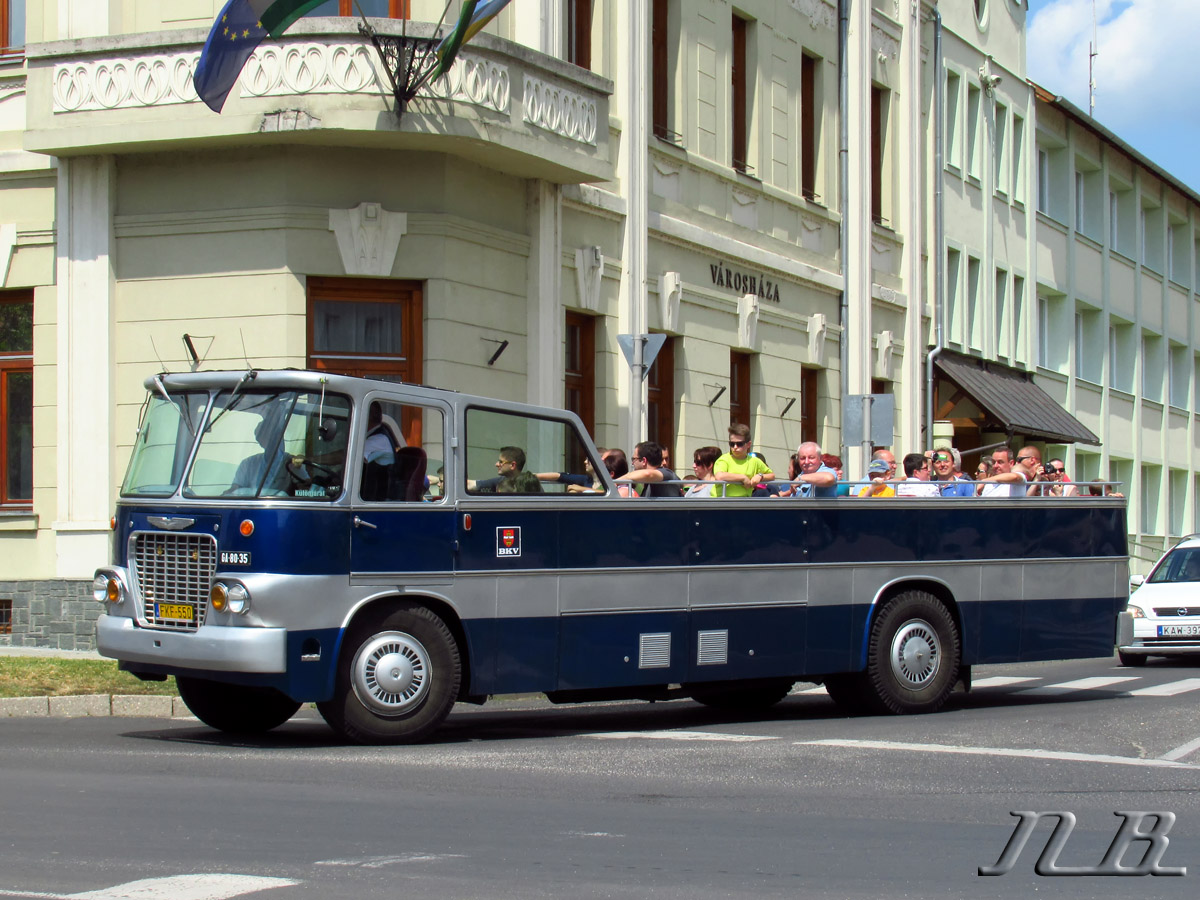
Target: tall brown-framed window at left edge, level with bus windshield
{"x":17,"y":399}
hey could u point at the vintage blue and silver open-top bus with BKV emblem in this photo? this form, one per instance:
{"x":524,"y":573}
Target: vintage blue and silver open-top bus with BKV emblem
{"x":290,"y":537}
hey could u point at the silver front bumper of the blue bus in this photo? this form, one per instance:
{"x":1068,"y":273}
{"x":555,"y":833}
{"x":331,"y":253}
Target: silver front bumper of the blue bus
{"x":218,"y":649}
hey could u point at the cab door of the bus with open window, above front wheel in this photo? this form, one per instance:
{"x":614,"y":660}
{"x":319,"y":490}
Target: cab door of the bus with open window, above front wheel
{"x":403,"y":531}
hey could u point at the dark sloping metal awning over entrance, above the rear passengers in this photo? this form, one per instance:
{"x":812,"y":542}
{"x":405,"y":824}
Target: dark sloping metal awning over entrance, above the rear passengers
{"x":1012,"y":401}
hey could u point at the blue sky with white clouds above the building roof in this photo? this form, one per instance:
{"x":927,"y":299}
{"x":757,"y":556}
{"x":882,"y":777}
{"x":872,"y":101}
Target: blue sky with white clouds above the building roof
{"x":1148,"y":73}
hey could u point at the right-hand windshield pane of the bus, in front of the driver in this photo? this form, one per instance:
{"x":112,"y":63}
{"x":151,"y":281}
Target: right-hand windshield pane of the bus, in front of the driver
{"x":281,"y":445}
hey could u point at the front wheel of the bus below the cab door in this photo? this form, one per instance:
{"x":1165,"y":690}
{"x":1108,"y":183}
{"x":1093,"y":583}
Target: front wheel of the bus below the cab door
{"x":413,"y":698}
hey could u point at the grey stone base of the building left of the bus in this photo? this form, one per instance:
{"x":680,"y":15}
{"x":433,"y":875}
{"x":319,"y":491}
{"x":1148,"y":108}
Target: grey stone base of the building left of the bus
{"x":57,"y":614}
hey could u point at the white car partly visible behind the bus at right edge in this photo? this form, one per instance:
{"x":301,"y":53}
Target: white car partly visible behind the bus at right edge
{"x":1163,"y":616}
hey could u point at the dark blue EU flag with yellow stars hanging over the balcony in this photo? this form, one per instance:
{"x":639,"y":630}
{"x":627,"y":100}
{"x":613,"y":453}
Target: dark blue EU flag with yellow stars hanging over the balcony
{"x":239,"y":29}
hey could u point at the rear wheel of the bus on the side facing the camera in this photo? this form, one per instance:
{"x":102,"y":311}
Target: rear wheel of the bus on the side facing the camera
{"x":914,"y":656}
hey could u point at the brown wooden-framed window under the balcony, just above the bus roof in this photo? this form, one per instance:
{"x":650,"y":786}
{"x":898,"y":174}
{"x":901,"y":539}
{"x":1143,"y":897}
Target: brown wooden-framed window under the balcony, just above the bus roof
{"x":367,"y":327}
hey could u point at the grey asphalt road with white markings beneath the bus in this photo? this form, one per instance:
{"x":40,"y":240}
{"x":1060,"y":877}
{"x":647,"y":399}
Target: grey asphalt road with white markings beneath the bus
{"x":521,"y":800}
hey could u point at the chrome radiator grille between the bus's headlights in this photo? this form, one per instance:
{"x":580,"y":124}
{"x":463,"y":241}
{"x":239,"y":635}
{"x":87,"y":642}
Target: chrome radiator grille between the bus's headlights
{"x":177,"y":571}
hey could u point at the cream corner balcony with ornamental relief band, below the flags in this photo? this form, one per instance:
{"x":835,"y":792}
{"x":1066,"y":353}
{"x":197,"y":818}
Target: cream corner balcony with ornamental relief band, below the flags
{"x":502,"y":105}
